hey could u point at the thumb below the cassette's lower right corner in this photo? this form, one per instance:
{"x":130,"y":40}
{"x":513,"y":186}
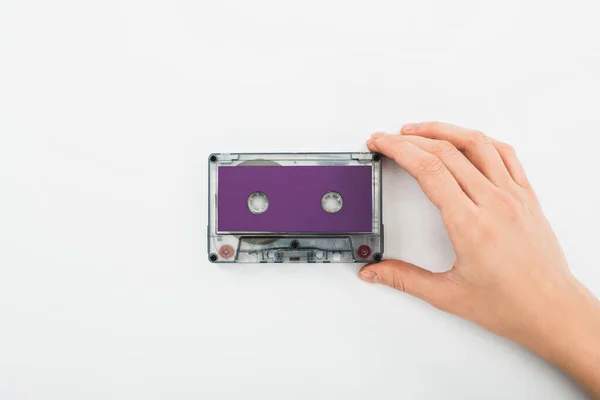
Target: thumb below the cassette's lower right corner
{"x":406,"y":277}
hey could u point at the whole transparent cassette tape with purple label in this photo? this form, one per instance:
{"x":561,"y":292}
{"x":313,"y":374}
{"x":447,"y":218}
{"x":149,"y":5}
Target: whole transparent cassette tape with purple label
{"x":295,"y":207}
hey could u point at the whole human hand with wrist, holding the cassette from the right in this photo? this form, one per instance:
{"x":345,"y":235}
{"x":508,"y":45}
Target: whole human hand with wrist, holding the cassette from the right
{"x":510,"y":275}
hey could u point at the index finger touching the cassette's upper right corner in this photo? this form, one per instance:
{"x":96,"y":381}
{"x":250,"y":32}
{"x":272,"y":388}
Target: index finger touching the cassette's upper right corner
{"x":436,"y":181}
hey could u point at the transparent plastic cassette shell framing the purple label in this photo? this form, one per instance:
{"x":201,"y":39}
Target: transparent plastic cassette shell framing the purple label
{"x":295,"y":247}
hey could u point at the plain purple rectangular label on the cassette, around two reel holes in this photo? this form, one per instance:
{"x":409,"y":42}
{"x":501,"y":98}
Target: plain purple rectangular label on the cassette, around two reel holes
{"x":295,"y":194}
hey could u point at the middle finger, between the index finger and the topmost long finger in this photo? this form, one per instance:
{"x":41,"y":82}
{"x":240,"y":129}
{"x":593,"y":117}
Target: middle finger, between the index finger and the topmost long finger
{"x":470,"y":179}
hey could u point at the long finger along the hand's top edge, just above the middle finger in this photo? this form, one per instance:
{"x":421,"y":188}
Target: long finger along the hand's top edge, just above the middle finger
{"x":477,"y":147}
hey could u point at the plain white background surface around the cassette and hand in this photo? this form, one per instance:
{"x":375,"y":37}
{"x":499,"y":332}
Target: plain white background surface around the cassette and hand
{"x":108,"y":110}
